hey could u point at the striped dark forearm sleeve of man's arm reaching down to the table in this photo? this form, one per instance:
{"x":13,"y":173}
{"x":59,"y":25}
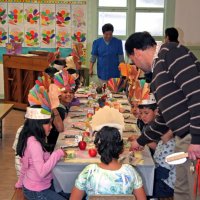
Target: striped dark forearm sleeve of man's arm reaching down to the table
{"x":153,"y":131}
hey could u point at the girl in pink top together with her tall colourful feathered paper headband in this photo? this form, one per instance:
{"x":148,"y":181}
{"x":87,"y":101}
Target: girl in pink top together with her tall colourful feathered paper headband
{"x":37,"y":159}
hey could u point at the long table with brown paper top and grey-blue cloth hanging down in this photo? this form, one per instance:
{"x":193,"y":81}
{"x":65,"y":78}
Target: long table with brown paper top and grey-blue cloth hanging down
{"x":66,"y":171}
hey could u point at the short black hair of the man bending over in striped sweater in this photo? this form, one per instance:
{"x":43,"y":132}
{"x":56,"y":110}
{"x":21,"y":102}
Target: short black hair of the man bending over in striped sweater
{"x":139,"y":40}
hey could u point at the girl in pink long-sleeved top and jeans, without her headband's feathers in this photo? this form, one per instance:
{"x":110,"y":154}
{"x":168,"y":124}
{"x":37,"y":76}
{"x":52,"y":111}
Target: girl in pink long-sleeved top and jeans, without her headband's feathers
{"x":36,"y":161}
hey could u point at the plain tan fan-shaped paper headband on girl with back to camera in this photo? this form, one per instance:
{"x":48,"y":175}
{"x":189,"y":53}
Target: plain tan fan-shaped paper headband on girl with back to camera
{"x":107,"y":116}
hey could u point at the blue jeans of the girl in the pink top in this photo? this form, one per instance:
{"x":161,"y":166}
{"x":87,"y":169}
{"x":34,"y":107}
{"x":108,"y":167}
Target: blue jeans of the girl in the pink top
{"x":47,"y":194}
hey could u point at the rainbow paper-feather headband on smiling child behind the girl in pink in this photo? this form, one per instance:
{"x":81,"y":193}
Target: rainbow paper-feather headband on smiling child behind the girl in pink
{"x":64,"y":80}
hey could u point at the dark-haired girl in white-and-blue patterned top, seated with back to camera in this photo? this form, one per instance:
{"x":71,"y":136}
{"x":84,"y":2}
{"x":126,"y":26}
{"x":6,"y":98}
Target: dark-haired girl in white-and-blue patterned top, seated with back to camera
{"x":109,"y":176}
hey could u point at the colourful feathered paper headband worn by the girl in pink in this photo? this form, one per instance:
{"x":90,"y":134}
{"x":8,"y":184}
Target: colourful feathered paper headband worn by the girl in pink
{"x":38,"y":96}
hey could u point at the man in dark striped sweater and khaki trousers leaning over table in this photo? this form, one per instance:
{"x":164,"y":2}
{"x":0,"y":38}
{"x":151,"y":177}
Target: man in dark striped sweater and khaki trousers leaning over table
{"x":176,"y":86}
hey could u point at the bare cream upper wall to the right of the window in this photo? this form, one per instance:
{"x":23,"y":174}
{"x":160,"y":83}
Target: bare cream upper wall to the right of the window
{"x":187,"y":20}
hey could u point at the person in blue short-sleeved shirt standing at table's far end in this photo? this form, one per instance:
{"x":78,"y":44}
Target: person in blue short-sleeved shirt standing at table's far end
{"x":109,"y":53}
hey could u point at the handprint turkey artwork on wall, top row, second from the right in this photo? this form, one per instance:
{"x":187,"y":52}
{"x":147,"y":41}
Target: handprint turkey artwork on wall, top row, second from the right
{"x":63,"y":17}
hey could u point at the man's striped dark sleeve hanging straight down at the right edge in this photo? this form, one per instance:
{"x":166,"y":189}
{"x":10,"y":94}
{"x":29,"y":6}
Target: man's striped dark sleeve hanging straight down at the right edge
{"x":184,"y":68}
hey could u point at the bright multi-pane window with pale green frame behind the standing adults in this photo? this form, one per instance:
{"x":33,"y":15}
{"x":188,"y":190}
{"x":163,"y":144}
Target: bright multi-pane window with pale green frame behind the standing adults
{"x":129,"y":16}
